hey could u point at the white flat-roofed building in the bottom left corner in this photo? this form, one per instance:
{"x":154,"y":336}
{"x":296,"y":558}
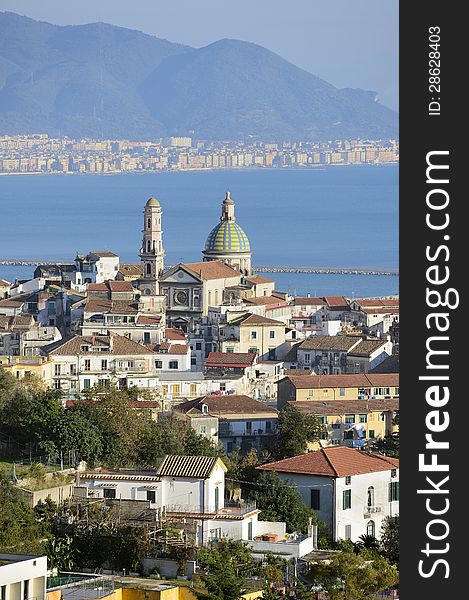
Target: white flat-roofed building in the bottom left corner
{"x":23,"y":576}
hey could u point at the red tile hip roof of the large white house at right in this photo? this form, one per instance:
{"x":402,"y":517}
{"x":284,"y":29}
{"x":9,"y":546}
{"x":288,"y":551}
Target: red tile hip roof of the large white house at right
{"x":338,"y":461}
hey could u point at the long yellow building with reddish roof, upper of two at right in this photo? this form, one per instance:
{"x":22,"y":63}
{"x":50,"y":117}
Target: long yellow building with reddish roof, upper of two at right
{"x":337,"y":387}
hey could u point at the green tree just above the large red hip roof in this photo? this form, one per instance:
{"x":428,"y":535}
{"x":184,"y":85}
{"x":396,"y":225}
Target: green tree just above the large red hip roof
{"x":296,"y":430}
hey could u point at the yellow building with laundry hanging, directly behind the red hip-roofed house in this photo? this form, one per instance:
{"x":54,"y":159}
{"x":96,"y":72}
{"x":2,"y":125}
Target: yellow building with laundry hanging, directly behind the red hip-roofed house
{"x":352,"y":422}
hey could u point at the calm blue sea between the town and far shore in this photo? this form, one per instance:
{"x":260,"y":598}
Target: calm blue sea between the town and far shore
{"x":332,"y":216}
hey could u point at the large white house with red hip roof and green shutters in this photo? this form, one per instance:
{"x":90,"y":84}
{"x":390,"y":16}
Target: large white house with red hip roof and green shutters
{"x":350,"y":490}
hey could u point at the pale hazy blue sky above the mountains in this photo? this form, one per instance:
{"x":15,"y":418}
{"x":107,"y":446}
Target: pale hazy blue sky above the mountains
{"x":349,"y":43}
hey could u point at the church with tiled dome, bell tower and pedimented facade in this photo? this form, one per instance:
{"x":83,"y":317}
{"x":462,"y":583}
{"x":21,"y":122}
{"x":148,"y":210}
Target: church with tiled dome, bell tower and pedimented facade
{"x":224,"y":276}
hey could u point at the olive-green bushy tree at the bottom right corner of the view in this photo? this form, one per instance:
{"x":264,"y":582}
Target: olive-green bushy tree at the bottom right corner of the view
{"x":351,"y":577}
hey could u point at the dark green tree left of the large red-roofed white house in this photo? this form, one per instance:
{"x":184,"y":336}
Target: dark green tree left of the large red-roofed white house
{"x":280,"y":500}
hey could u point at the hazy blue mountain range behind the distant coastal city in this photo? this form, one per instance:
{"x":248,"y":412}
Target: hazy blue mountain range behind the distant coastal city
{"x":99,"y":80}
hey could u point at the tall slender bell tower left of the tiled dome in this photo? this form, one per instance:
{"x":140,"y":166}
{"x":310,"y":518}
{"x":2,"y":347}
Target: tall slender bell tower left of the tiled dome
{"x":151,"y":252}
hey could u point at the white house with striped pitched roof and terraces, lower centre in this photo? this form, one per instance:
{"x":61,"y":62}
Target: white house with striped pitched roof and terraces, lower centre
{"x":190,"y":490}
